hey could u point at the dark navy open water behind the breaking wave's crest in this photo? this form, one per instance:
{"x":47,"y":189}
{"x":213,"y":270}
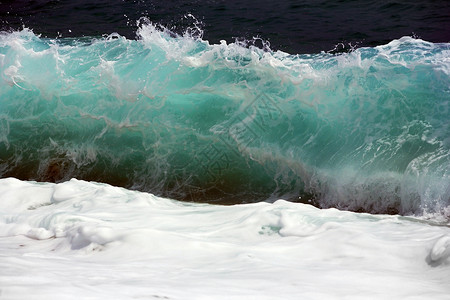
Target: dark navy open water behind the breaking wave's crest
{"x":291,"y":26}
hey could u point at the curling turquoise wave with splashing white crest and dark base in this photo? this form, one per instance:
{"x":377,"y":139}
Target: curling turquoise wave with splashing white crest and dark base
{"x":228,"y":123}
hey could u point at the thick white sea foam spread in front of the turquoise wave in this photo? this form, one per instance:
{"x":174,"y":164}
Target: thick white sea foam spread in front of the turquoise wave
{"x":81,"y":240}
